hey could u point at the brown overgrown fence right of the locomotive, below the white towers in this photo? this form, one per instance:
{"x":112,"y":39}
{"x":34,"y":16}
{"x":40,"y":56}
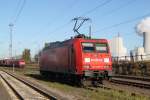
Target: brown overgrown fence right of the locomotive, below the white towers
{"x":132,"y":65}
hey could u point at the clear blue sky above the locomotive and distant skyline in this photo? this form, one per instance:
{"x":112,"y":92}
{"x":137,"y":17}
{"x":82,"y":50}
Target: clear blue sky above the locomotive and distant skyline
{"x":39,"y":21}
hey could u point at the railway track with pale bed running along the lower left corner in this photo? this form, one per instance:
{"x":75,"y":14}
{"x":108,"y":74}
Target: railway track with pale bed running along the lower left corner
{"x":22,"y":90}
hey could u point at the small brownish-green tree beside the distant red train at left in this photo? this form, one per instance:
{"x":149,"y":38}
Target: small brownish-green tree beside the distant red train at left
{"x":26,"y":55}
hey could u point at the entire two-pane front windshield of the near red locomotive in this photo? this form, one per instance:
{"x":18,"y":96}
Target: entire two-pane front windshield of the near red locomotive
{"x":95,"y":47}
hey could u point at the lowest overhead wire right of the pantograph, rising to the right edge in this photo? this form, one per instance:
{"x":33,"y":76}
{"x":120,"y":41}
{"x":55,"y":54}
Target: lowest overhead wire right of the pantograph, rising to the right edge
{"x":124,"y":22}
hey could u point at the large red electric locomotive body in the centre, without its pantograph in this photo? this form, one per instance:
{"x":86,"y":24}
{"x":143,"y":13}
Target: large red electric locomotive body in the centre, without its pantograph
{"x":79,"y":59}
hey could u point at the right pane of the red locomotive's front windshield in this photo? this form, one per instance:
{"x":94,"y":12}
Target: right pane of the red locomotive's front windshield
{"x":101,"y":47}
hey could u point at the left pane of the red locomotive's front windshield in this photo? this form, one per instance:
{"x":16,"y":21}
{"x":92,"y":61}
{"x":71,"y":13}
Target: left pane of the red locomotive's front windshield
{"x":88,"y":47}
